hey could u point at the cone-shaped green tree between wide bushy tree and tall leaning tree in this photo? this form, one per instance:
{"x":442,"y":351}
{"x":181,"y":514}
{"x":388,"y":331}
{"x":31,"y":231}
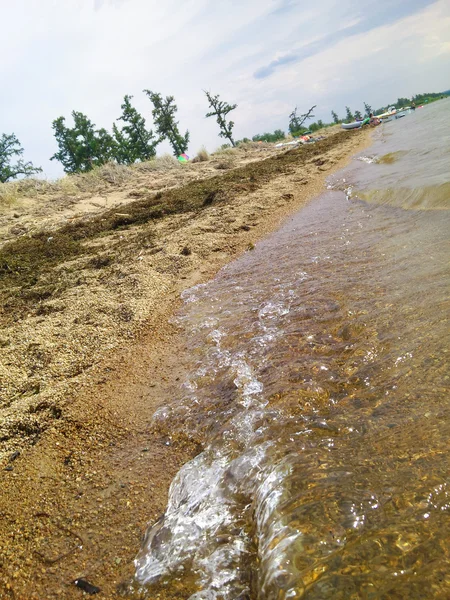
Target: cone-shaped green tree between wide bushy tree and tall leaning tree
{"x":134,"y":142}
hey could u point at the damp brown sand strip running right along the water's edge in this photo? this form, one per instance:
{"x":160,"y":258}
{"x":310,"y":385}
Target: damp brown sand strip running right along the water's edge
{"x":77,"y":502}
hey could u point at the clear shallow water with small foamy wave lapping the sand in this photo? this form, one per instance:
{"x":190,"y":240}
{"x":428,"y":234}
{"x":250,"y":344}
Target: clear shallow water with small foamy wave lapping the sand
{"x":318,"y":382}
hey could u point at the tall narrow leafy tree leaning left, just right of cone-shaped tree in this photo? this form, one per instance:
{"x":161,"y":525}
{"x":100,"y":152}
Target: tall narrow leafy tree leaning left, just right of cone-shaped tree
{"x":164,"y":111}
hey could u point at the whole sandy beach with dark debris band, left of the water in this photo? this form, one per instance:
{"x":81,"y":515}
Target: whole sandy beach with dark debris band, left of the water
{"x":88,"y":352}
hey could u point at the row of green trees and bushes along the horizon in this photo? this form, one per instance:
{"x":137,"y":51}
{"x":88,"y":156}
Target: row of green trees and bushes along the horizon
{"x":83,"y":147}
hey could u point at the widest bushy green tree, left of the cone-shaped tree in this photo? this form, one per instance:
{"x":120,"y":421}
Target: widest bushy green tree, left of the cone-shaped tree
{"x":82,"y":147}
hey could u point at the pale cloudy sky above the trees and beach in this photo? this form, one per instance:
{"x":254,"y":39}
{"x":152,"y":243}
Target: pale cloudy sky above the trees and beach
{"x":268,"y":56}
